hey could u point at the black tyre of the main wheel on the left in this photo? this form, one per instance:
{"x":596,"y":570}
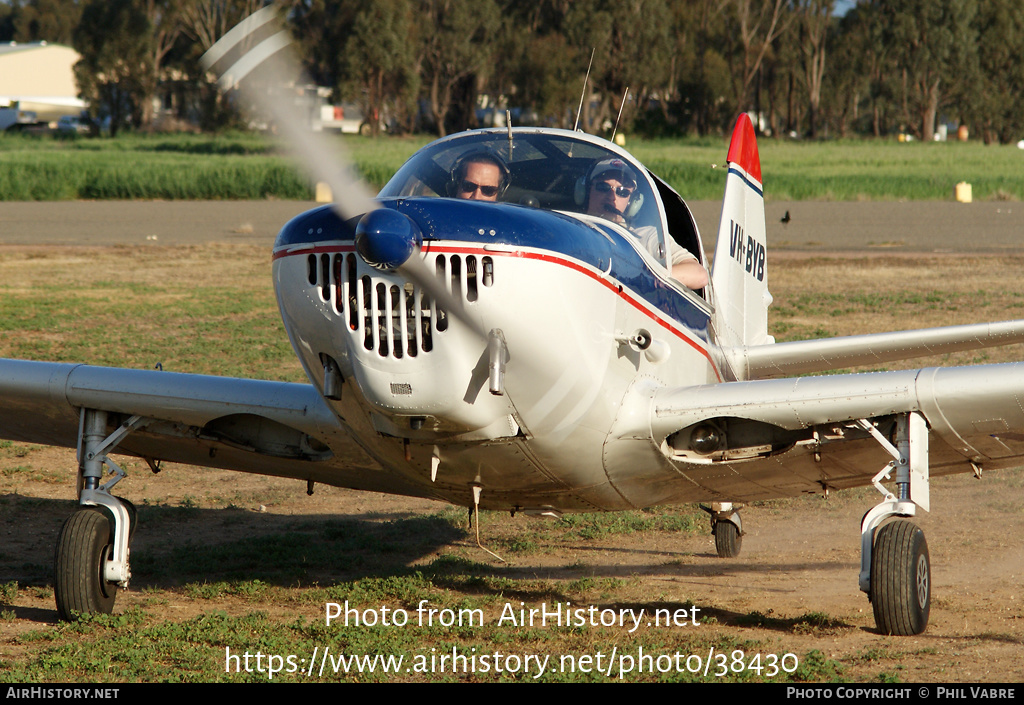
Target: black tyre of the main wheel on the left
{"x":86,"y":544}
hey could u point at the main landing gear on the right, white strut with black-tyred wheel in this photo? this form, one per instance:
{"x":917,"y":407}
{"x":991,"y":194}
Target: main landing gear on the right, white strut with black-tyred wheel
{"x":895,"y":567}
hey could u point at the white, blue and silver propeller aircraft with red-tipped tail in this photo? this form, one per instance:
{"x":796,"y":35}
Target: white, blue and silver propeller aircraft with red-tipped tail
{"x":532,"y":354}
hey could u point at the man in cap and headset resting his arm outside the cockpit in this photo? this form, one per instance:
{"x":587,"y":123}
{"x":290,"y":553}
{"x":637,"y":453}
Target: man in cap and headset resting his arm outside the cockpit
{"x":612,"y":195}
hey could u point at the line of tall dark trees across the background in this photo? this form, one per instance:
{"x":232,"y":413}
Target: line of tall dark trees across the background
{"x":657,"y":67}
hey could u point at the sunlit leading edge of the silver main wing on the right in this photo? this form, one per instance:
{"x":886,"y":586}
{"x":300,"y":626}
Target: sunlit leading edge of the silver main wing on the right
{"x":977,"y":411}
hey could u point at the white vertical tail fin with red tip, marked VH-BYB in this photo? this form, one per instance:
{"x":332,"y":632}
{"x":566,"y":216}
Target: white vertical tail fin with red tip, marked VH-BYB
{"x":740,"y":277}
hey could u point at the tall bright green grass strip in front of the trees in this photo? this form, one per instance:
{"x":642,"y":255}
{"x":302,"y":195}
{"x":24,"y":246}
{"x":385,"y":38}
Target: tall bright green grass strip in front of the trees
{"x":247,"y":167}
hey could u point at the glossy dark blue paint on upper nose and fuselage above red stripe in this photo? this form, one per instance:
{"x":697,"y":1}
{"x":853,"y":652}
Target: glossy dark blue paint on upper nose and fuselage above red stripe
{"x":502,"y":224}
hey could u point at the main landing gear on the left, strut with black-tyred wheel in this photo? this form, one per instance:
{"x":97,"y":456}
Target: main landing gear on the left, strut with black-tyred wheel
{"x":92,"y":558}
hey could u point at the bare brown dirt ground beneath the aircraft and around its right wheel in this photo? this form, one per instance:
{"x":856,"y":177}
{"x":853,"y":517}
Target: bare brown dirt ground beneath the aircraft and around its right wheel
{"x":793,"y":589}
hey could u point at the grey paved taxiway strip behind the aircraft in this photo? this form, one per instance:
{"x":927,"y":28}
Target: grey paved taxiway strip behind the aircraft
{"x":815,"y":226}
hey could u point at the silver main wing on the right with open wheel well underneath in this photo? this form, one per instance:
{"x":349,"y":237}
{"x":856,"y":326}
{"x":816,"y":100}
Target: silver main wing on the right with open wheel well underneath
{"x":782,"y":437}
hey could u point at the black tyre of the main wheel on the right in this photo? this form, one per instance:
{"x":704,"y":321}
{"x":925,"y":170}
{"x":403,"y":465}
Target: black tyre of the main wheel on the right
{"x":902,"y":579}
